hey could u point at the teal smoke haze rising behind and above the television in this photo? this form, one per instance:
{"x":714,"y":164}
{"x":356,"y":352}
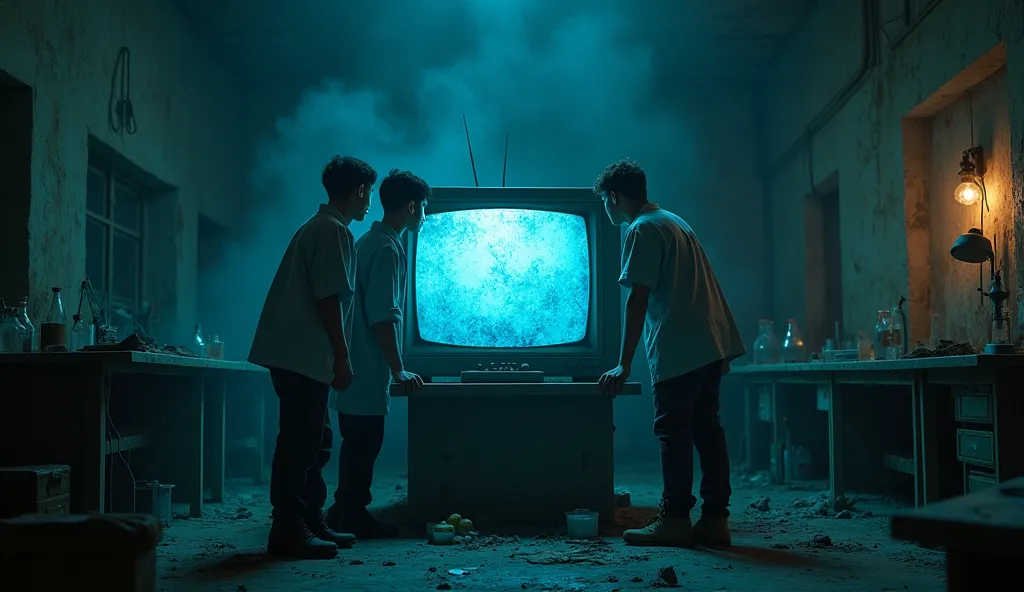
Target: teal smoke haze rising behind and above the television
{"x":574,"y":89}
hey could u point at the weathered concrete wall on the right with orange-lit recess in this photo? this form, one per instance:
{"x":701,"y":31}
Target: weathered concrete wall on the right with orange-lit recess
{"x":923,"y":72}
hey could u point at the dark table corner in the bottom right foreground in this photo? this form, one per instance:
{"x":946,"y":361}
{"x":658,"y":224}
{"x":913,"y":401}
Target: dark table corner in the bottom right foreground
{"x":982,"y":534}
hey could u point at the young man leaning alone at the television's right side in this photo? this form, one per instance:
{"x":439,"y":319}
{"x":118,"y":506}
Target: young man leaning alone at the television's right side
{"x":676,"y":304}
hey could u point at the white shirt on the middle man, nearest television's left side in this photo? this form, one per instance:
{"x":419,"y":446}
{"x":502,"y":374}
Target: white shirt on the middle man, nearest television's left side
{"x":380,"y":298}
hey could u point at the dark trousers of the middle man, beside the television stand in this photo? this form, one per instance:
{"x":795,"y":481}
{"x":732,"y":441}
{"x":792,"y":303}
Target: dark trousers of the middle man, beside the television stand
{"x":362,"y":438}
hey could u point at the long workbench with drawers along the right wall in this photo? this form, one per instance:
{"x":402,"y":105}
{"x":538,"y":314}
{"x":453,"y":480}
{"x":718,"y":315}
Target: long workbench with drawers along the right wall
{"x":989,"y":410}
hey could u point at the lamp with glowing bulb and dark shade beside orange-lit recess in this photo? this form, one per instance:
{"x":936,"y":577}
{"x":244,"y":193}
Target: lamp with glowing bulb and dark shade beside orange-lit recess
{"x":974,"y":247}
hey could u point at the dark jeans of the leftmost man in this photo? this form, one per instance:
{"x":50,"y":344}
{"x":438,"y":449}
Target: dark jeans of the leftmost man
{"x":305,"y":441}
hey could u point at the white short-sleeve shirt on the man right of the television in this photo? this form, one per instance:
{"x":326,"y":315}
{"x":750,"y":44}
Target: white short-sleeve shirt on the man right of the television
{"x":689,"y":324}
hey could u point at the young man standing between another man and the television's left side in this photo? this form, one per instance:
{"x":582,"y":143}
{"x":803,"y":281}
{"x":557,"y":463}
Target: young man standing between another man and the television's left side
{"x":380,"y":303}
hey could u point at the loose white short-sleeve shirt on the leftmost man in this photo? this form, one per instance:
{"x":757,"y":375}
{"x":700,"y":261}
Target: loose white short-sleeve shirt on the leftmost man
{"x":319,"y":263}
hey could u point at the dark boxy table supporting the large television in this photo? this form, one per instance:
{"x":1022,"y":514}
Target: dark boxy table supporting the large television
{"x":511,"y":454}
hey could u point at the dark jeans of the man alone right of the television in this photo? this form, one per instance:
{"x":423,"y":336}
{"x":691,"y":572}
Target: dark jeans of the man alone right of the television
{"x":687,"y":416}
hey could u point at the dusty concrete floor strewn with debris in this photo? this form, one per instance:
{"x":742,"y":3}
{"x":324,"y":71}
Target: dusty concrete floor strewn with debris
{"x":788,"y":542}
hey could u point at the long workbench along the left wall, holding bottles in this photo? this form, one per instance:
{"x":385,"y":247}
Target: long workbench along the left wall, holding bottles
{"x":57,"y":410}
